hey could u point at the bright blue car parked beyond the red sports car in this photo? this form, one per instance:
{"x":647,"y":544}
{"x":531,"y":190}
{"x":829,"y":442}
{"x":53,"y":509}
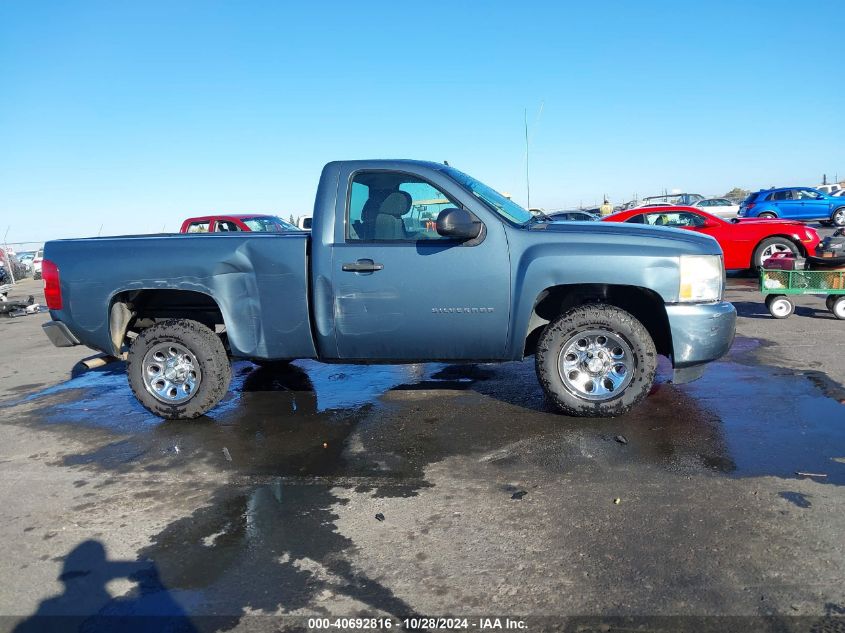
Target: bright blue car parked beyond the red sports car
{"x":794,"y":203}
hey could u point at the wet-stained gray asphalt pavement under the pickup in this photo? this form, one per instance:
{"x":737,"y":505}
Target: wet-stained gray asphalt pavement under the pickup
{"x":431,"y":490}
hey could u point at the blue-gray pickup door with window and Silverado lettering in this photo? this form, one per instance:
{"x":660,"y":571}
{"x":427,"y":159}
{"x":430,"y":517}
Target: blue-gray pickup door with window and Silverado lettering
{"x":403,"y":292}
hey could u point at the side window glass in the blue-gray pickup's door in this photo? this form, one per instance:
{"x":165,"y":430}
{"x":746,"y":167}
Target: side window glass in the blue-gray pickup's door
{"x":392,"y":206}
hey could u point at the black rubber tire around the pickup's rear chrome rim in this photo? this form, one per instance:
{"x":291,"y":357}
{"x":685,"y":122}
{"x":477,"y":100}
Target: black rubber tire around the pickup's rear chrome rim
{"x":215,"y":370}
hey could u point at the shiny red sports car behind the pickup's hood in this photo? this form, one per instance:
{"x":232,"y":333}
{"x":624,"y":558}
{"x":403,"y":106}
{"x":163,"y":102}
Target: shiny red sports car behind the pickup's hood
{"x":745,"y":242}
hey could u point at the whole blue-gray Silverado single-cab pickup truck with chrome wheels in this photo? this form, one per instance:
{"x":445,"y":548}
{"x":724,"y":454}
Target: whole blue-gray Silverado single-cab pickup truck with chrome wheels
{"x":407,"y":261}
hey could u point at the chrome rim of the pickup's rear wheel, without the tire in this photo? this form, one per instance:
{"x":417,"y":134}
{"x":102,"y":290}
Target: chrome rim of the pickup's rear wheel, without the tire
{"x":171,"y":373}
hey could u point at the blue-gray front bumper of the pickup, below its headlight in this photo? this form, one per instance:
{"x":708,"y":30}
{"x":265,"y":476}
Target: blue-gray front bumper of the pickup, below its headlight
{"x":701,"y":333}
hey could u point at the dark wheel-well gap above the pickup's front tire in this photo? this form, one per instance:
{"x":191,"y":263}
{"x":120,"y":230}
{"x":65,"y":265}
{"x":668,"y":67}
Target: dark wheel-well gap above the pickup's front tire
{"x":642,"y":303}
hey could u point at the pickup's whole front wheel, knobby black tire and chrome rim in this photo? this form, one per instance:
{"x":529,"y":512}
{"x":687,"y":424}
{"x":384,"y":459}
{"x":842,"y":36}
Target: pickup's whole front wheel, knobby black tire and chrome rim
{"x":596,"y":360}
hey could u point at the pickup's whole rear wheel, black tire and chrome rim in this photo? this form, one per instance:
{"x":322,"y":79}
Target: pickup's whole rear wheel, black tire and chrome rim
{"x":178,"y":369}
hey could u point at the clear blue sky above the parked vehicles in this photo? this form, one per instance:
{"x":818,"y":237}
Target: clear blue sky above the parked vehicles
{"x":135,"y":115}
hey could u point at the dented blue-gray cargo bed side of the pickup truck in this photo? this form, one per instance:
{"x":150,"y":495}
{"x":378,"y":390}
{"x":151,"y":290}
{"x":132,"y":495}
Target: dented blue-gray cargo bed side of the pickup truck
{"x":259,"y":281}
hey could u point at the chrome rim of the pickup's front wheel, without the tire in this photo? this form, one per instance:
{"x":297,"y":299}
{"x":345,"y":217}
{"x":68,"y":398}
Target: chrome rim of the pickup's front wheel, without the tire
{"x":596,"y":365}
